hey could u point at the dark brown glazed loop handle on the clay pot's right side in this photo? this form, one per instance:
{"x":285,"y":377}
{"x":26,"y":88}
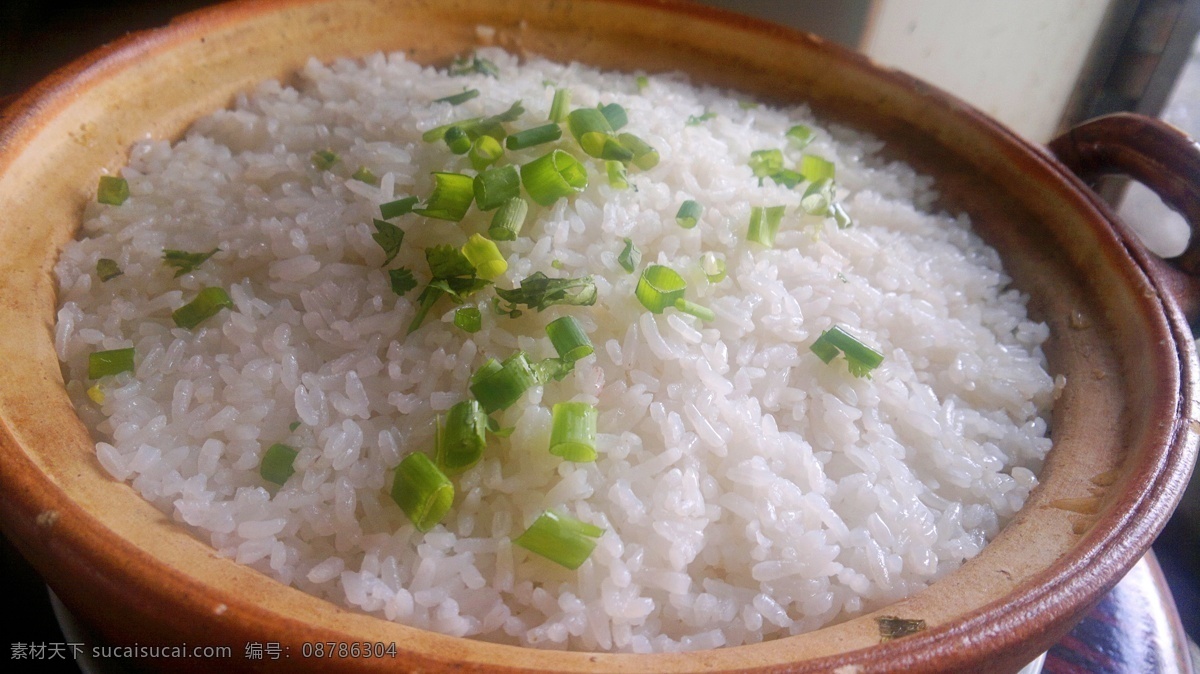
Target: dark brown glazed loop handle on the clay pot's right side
{"x":1161,"y":158}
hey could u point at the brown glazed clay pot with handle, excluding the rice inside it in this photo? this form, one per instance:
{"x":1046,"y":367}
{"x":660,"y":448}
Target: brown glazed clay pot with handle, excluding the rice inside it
{"x":1125,"y":430}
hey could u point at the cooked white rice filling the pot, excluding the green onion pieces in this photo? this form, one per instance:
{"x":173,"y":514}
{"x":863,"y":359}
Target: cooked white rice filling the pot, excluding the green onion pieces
{"x":746,"y":489}
